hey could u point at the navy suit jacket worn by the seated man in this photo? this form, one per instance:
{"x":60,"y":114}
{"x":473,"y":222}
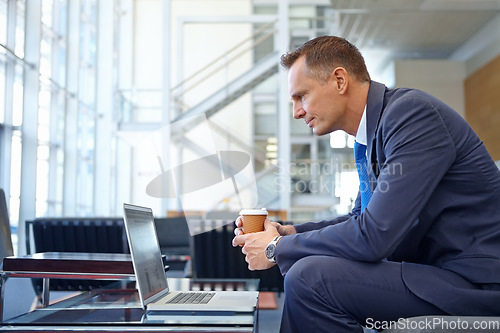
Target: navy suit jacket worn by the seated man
{"x":435,"y":205}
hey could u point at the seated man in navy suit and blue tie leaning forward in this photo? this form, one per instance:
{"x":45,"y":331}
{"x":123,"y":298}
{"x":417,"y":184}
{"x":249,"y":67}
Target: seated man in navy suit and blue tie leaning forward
{"x":428,"y":240}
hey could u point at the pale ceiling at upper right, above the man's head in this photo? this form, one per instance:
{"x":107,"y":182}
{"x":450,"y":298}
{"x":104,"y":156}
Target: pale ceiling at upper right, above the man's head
{"x":410,"y":29}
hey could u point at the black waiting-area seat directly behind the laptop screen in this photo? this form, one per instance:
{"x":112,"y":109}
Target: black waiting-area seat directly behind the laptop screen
{"x":102,"y":235}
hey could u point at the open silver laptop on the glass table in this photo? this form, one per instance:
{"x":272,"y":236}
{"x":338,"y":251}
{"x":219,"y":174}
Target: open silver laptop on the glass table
{"x":151,"y":280}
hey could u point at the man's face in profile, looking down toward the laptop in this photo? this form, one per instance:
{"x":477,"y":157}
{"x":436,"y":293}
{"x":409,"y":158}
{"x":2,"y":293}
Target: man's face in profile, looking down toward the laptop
{"x":318,"y":104}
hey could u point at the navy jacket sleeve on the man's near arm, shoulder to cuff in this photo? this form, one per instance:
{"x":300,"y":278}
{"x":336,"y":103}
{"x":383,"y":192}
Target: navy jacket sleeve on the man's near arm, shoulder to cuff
{"x":418,"y":151}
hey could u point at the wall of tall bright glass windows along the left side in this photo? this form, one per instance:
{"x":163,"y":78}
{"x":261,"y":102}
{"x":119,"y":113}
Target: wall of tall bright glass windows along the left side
{"x":66,"y":118}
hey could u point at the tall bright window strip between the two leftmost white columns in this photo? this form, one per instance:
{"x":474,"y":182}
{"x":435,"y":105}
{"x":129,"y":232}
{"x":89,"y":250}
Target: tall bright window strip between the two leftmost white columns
{"x":50,"y":153}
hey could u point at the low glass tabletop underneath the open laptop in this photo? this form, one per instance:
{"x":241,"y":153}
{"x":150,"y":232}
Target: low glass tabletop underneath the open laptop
{"x":119,"y":304}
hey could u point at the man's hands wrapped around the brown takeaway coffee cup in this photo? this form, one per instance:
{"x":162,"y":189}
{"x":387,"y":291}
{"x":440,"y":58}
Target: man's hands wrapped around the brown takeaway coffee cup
{"x":253,"y":245}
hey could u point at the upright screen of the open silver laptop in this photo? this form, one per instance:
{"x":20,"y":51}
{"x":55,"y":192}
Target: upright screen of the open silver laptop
{"x":145,"y":252}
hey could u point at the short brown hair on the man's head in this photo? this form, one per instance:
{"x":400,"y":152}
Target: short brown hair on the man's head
{"x":324,"y":54}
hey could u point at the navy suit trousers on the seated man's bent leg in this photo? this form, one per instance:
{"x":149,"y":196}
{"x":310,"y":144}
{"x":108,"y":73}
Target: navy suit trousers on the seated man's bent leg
{"x":330,"y":294}
